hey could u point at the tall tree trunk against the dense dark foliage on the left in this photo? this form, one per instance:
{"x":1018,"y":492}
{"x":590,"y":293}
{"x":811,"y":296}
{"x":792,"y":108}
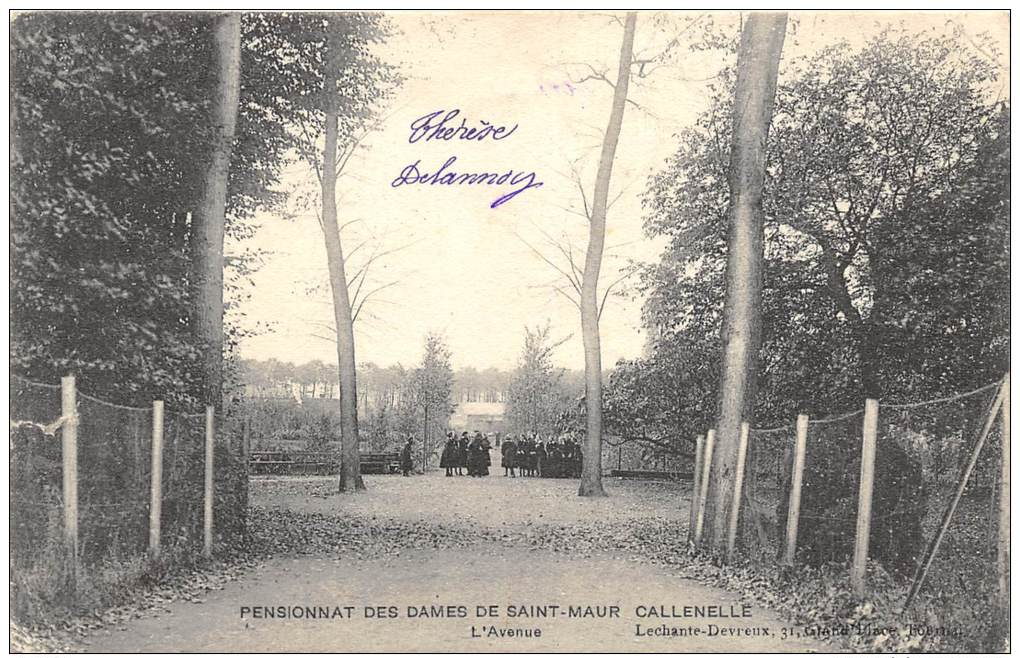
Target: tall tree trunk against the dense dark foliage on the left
{"x":209,"y":219}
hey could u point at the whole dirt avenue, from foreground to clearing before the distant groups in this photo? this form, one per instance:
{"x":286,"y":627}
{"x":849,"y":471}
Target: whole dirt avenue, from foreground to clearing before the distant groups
{"x":493,"y":572}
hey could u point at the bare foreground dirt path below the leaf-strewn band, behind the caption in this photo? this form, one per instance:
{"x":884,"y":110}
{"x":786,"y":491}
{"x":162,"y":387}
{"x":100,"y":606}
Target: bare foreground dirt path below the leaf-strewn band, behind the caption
{"x":485,"y":576}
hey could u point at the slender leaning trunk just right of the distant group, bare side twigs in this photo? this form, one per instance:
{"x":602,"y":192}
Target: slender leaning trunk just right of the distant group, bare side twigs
{"x":591,"y":477}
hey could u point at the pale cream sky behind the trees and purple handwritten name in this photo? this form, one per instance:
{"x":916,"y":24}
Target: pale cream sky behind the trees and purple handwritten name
{"x":478,"y":275}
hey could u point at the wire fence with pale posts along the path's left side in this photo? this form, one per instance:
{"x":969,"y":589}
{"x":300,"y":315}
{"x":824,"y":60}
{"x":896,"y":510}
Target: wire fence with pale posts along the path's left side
{"x":111,"y":521}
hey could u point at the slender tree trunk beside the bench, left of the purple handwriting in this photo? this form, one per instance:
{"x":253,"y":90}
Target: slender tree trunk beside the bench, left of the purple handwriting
{"x":350,"y":461}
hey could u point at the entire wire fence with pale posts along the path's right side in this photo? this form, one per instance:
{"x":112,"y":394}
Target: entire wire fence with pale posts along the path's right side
{"x":914,"y":508}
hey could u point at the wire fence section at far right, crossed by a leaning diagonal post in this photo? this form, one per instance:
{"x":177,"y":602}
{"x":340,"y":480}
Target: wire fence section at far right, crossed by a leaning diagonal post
{"x":925,"y":451}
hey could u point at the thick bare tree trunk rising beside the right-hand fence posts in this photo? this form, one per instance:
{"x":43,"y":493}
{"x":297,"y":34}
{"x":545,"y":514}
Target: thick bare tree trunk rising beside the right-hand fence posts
{"x":757,"y":71}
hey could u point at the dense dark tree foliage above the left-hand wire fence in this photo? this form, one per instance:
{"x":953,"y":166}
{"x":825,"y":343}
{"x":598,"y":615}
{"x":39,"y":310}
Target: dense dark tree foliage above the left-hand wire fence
{"x":111,"y":133}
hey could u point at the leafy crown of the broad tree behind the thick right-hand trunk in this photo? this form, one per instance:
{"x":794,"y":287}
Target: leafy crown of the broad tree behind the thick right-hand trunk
{"x":887,"y":216}
